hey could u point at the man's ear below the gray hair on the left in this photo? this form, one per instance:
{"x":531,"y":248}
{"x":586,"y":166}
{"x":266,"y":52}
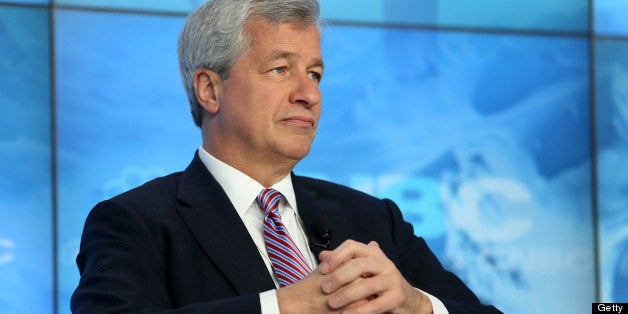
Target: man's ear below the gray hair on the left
{"x":207,"y":86}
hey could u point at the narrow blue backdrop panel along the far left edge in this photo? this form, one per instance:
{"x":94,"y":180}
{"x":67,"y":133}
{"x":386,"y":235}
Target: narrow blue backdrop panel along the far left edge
{"x":26,"y":227}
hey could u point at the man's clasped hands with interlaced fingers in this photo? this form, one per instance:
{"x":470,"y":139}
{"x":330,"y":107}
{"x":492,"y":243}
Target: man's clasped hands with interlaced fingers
{"x":353,"y":278}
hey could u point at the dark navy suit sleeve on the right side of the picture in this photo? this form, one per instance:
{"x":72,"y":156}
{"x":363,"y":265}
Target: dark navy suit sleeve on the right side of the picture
{"x":423,"y":270}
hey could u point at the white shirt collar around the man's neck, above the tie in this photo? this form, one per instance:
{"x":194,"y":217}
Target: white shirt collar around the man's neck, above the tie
{"x":240,"y":188}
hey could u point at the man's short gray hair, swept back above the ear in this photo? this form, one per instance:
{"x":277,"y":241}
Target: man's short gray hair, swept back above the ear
{"x":213,"y":36}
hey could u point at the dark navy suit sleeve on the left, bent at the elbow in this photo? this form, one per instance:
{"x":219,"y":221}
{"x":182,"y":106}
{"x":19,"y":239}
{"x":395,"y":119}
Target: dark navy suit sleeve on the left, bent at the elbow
{"x":123,"y":270}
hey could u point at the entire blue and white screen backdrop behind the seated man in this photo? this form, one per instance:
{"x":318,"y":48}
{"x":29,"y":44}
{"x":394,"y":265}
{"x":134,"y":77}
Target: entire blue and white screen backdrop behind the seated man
{"x":477,"y":123}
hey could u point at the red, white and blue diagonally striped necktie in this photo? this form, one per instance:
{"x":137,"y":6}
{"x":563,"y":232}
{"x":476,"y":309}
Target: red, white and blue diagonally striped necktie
{"x":286,"y":258}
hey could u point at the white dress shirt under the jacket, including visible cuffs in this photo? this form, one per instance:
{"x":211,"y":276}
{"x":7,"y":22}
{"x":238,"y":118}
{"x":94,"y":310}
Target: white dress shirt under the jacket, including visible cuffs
{"x":242,"y":191}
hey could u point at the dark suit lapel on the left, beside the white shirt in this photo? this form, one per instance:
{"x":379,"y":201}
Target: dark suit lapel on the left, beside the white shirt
{"x":218,"y":229}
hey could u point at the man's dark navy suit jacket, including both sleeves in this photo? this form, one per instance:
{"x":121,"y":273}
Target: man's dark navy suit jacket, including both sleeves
{"x":177,"y":245}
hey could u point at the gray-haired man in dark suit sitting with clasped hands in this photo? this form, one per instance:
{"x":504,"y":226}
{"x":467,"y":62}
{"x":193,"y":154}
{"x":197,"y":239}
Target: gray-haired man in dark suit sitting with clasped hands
{"x":206,"y":240}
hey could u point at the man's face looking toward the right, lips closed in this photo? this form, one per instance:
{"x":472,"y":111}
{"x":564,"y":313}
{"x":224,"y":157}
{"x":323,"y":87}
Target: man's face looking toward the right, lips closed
{"x":270,"y":104}
